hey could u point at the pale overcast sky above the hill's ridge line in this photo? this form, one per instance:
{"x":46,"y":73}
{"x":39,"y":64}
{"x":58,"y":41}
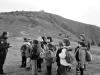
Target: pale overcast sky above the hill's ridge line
{"x":85,"y":11}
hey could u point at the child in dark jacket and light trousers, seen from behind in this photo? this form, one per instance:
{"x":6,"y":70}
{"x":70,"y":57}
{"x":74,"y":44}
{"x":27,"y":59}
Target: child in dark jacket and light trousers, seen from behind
{"x":34,"y":56}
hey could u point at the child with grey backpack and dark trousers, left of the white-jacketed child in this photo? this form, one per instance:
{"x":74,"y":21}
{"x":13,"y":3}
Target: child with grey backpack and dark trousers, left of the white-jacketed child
{"x":50,"y":58}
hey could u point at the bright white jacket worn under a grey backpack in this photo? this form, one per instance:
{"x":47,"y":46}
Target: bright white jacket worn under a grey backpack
{"x":62,"y":56}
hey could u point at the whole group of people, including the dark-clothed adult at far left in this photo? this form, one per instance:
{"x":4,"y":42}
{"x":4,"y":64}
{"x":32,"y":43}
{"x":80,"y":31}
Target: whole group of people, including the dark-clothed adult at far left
{"x":42,"y":50}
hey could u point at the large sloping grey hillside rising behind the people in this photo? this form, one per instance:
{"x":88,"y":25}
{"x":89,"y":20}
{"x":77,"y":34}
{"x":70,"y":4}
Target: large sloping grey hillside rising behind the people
{"x":34,"y":24}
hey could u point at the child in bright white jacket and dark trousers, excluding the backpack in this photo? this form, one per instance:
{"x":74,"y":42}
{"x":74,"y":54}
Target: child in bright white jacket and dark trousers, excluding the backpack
{"x":64,"y":64}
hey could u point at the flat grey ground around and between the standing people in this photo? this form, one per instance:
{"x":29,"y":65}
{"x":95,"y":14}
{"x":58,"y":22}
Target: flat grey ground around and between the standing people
{"x":13,"y":62}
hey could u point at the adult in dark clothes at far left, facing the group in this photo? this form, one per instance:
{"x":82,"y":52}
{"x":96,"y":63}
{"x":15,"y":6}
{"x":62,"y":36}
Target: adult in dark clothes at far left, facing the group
{"x":4,"y":45}
